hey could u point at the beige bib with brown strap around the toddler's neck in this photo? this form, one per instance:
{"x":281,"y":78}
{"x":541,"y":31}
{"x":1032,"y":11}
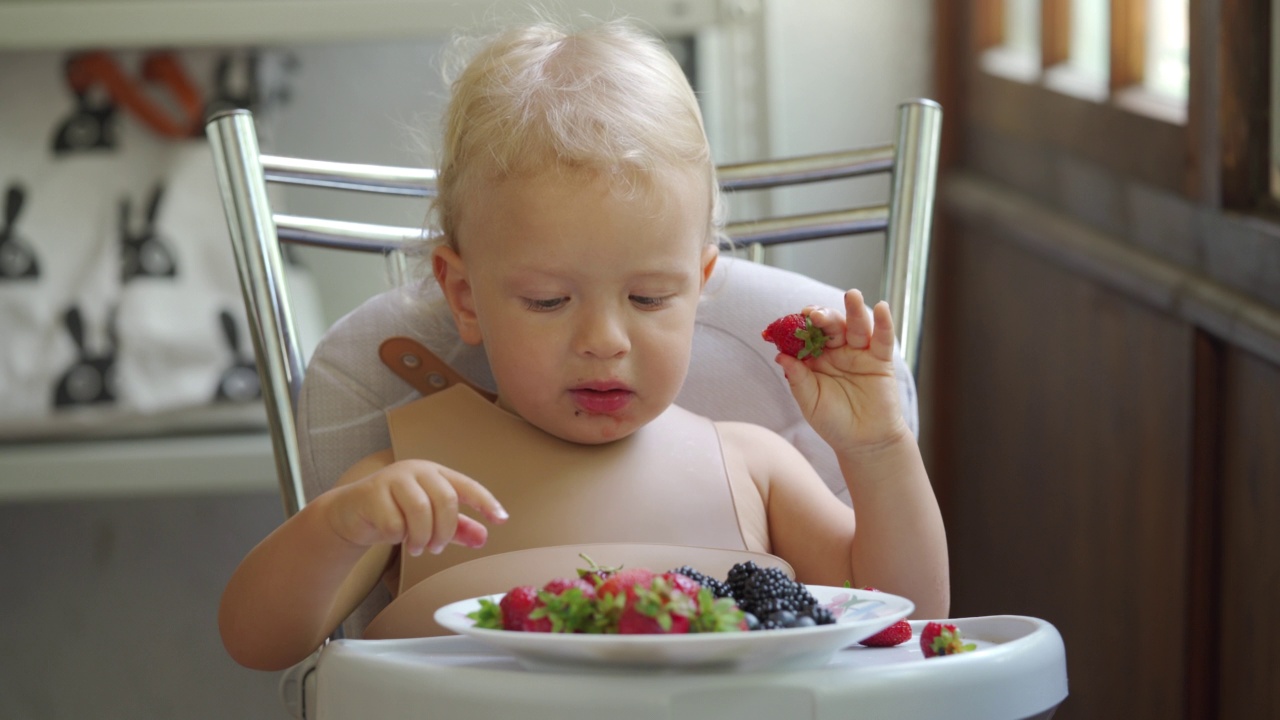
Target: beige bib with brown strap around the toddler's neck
{"x":660,"y":498}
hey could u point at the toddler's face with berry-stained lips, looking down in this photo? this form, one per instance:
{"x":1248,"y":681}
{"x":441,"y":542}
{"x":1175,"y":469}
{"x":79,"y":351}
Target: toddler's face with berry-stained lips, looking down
{"x":583,"y":299}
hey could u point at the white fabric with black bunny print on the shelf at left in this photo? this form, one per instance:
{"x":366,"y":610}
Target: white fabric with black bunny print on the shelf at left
{"x":120,"y":306}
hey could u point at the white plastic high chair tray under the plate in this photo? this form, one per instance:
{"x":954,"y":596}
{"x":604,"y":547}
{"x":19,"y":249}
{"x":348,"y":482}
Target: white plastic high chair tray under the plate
{"x":1018,"y":673}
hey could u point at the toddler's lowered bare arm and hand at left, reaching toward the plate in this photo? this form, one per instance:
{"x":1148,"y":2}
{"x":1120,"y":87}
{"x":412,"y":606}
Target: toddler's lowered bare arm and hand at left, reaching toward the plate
{"x":294,"y":589}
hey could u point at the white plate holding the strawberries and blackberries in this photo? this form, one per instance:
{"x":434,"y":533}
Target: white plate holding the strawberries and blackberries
{"x":860,"y":614}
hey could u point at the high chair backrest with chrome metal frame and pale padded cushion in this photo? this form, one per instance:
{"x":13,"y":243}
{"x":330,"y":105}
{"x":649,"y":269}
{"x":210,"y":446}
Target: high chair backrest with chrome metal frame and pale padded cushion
{"x":324,"y":425}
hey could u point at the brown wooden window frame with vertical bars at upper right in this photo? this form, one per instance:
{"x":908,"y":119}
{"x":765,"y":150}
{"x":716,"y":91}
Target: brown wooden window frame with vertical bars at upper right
{"x":1188,"y":158}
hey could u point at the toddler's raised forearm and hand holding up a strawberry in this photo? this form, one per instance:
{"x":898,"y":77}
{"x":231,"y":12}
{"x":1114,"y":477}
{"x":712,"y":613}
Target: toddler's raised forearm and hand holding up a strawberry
{"x":851,"y":398}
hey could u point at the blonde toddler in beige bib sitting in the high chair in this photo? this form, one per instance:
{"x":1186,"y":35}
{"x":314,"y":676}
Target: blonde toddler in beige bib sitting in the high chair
{"x":579,"y":215}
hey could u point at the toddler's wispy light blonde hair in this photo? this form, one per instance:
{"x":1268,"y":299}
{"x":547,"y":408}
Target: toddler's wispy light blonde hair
{"x":607,"y":99}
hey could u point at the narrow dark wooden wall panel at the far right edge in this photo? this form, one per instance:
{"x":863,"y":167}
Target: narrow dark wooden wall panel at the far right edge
{"x":1250,"y":675}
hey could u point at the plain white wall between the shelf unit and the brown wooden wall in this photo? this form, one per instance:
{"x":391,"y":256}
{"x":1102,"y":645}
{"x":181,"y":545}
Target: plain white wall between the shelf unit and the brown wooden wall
{"x":838,"y":71}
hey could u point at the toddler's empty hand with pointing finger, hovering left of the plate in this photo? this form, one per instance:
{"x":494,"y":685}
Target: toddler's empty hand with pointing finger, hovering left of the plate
{"x":415,"y":504}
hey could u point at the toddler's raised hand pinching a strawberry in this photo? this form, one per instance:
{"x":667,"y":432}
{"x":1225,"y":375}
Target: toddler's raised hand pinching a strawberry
{"x":849,"y":394}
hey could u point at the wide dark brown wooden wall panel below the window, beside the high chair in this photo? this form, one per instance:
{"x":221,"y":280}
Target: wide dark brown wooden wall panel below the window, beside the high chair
{"x":1068,"y":450}
